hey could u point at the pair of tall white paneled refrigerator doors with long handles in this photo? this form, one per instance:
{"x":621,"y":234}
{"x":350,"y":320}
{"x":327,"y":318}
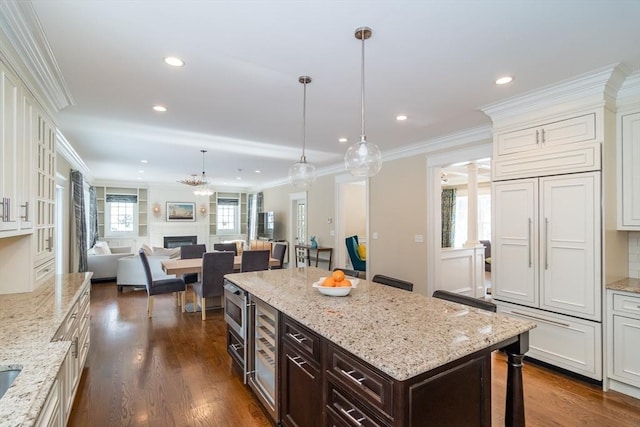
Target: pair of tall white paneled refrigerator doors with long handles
{"x":547,"y":243}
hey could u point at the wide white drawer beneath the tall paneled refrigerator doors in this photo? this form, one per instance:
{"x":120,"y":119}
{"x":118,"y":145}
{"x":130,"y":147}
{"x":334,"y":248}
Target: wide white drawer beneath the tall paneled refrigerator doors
{"x":563,"y":341}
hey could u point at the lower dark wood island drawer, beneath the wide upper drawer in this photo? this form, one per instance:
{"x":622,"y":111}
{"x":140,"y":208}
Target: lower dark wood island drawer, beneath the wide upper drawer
{"x":343,"y":410}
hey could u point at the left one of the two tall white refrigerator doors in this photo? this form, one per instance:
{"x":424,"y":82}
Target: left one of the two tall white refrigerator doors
{"x":514,"y":273}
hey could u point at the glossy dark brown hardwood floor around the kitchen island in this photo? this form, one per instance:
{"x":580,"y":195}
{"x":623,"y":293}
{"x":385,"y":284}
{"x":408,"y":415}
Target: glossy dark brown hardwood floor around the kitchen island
{"x":173,"y":370}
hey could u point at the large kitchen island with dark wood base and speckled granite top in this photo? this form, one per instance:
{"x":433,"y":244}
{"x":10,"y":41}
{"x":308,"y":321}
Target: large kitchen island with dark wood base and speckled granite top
{"x":384,"y":356}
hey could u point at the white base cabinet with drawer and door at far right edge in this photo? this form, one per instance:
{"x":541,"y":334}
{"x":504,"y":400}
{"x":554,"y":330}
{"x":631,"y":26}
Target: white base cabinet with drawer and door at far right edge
{"x":623,"y":342}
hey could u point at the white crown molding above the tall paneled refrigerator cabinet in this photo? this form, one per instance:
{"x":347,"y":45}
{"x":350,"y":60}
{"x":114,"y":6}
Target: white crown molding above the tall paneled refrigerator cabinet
{"x":598,"y":88}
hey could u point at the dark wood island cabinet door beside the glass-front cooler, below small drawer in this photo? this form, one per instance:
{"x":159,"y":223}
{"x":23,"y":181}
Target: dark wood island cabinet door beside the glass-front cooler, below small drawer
{"x":301,"y":393}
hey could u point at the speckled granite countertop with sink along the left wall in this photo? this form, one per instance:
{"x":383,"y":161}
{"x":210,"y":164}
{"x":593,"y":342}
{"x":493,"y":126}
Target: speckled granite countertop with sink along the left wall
{"x":29,"y":322}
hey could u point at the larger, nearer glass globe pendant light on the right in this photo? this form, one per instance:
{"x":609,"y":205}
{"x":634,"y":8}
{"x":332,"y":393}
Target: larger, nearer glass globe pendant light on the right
{"x":363,"y":158}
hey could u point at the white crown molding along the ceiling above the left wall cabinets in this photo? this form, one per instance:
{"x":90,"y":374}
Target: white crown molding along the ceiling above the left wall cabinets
{"x":26,"y":49}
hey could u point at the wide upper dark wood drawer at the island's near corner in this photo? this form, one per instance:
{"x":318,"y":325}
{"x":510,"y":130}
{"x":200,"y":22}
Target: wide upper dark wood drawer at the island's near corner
{"x":371,"y":385}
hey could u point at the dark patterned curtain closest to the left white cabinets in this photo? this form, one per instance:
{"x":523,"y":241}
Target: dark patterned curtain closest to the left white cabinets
{"x":78,"y":224}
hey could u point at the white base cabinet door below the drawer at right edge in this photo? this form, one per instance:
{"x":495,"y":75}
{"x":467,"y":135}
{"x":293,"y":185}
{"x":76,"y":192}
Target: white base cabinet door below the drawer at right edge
{"x":626,"y":342}
